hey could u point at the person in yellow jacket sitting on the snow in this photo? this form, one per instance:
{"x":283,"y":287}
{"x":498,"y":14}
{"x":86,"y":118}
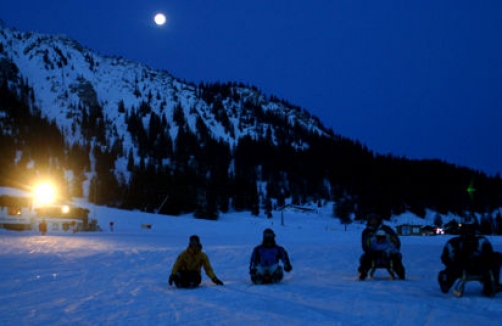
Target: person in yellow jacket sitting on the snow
{"x":186,"y":272}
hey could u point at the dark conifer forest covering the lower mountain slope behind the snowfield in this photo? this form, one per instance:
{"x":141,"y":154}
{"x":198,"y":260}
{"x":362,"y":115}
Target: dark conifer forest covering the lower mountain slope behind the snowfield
{"x":196,"y":173}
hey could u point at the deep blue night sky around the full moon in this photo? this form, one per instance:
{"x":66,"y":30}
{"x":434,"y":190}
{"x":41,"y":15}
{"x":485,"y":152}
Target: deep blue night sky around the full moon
{"x":421,"y":79}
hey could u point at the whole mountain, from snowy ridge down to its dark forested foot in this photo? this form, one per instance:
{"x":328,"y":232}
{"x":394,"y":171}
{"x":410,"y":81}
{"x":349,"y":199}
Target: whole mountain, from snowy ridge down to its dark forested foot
{"x":213,"y":143}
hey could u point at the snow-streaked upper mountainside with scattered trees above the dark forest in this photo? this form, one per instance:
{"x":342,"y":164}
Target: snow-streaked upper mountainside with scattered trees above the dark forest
{"x":112,"y":103}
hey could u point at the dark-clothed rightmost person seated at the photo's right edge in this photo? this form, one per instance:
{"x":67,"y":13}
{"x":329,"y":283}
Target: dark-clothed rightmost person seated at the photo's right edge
{"x":471,"y":254}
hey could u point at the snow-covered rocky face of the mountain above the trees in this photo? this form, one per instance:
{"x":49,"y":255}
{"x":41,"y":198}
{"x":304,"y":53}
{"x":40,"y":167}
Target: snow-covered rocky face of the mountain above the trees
{"x":66,"y":76}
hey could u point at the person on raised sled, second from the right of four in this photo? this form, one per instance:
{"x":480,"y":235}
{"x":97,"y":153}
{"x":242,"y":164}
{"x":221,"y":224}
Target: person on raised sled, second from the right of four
{"x":381,"y":246}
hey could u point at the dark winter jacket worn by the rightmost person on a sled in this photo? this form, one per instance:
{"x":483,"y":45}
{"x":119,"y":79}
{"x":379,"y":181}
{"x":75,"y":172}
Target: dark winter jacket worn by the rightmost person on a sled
{"x":471,"y":254}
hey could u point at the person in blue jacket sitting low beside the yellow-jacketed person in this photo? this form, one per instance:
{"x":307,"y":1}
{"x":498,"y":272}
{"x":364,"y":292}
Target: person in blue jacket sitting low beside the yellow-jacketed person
{"x":264,"y":266}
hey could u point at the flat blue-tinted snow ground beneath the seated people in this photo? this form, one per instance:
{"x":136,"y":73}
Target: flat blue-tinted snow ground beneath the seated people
{"x":120,"y":277}
